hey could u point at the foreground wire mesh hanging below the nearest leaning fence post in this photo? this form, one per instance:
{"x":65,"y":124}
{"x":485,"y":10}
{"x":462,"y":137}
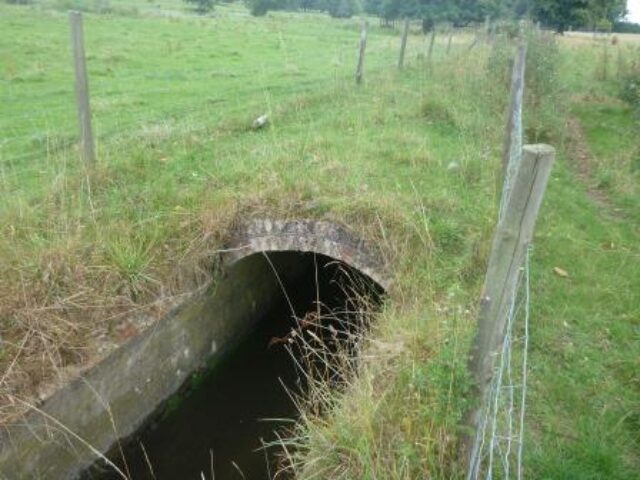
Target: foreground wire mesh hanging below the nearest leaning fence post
{"x":502,"y":421}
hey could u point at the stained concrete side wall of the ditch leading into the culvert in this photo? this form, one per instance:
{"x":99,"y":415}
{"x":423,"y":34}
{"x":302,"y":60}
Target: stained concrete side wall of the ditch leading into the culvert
{"x":136,"y":378}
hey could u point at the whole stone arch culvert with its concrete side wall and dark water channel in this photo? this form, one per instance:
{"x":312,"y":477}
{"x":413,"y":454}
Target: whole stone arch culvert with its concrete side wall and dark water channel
{"x":200,"y":385}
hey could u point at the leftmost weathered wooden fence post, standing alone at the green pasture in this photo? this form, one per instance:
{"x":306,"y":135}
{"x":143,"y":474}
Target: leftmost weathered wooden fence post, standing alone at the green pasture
{"x":82,"y":88}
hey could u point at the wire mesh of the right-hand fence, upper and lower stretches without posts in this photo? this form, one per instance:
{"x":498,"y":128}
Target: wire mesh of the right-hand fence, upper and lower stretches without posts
{"x":498,"y":446}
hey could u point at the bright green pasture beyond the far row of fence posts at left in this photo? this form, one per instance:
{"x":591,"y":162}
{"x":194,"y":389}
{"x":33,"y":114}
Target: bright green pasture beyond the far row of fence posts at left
{"x":152,"y":75}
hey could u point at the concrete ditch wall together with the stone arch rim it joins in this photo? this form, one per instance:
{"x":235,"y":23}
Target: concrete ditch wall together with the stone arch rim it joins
{"x":114,"y":398}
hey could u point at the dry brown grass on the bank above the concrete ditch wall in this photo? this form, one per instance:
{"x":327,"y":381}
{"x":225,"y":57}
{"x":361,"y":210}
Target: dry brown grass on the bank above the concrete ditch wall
{"x":68,"y":310}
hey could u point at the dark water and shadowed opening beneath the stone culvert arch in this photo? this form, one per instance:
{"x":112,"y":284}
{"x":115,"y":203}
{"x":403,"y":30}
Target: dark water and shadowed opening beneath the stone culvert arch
{"x":220,"y":422}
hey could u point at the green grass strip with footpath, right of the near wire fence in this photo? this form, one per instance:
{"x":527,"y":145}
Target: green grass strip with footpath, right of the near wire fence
{"x":586,"y":355}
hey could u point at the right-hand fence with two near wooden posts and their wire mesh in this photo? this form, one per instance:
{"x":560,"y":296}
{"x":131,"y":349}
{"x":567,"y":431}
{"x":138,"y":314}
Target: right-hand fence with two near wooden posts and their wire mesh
{"x":494,"y":440}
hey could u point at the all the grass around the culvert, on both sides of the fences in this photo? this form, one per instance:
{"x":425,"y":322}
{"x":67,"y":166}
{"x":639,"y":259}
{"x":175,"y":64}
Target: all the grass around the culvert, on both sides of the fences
{"x":173,"y":97}
